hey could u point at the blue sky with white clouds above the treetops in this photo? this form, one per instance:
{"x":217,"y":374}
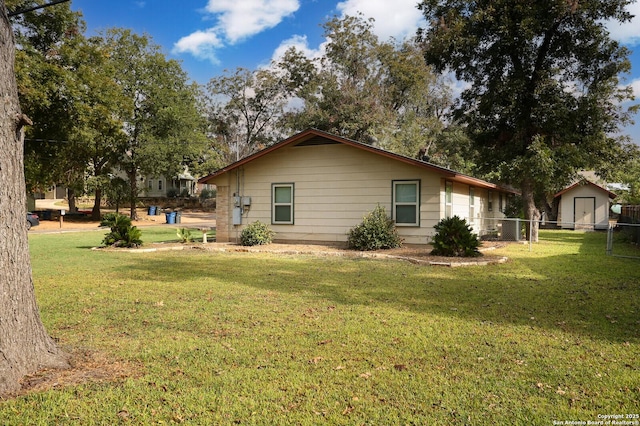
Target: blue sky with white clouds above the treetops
{"x":209,"y":36}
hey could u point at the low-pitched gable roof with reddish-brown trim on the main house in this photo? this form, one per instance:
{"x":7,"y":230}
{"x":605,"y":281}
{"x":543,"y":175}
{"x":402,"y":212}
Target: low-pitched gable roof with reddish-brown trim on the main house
{"x":316,"y":137}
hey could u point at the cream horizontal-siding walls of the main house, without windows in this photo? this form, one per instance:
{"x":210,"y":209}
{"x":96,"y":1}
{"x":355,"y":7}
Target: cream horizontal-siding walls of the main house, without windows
{"x":335,"y":185}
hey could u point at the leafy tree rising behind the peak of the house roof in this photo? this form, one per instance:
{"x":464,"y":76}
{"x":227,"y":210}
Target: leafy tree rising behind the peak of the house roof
{"x":367,"y":90}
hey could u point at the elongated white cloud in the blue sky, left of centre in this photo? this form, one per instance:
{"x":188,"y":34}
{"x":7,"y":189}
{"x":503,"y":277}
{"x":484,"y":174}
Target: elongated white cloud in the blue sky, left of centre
{"x":236,"y":20}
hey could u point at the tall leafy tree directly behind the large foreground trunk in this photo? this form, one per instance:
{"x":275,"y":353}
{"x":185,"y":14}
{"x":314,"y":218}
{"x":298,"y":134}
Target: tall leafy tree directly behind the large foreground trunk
{"x":45,"y":86}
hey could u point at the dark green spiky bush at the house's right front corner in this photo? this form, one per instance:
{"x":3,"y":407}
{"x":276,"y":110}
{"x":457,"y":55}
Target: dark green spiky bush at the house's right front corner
{"x":454,"y":238}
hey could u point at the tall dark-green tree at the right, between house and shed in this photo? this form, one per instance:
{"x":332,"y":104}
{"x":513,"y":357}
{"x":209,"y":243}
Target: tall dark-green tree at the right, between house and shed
{"x":544,"y":98}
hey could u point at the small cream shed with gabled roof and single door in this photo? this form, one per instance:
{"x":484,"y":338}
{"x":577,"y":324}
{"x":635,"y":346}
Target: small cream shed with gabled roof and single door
{"x":584,"y":205}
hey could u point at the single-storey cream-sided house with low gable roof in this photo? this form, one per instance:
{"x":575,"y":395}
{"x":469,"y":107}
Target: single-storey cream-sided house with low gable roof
{"x":315,"y":187}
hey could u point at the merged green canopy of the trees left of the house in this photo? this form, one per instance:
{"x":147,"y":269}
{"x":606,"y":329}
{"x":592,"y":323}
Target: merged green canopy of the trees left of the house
{"x":101,"y":105}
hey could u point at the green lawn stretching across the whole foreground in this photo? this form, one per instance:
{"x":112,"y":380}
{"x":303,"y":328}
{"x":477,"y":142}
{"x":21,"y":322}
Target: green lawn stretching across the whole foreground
{"x":224,"y":338}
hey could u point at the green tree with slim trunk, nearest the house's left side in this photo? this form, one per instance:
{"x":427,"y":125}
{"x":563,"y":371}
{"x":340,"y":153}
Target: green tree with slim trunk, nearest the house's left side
{"x":162,"y":123}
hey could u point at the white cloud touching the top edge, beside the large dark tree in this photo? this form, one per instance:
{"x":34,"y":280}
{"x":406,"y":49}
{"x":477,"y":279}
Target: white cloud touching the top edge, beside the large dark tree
{"x":397,"y":18}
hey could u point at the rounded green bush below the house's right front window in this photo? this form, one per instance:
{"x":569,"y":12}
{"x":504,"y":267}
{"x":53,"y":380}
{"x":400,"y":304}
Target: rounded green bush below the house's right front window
{"x":377,"y":231}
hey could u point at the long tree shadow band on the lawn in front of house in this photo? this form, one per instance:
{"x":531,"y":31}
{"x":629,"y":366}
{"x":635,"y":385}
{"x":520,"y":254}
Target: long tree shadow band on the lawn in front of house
{"x":582,"y":292}
